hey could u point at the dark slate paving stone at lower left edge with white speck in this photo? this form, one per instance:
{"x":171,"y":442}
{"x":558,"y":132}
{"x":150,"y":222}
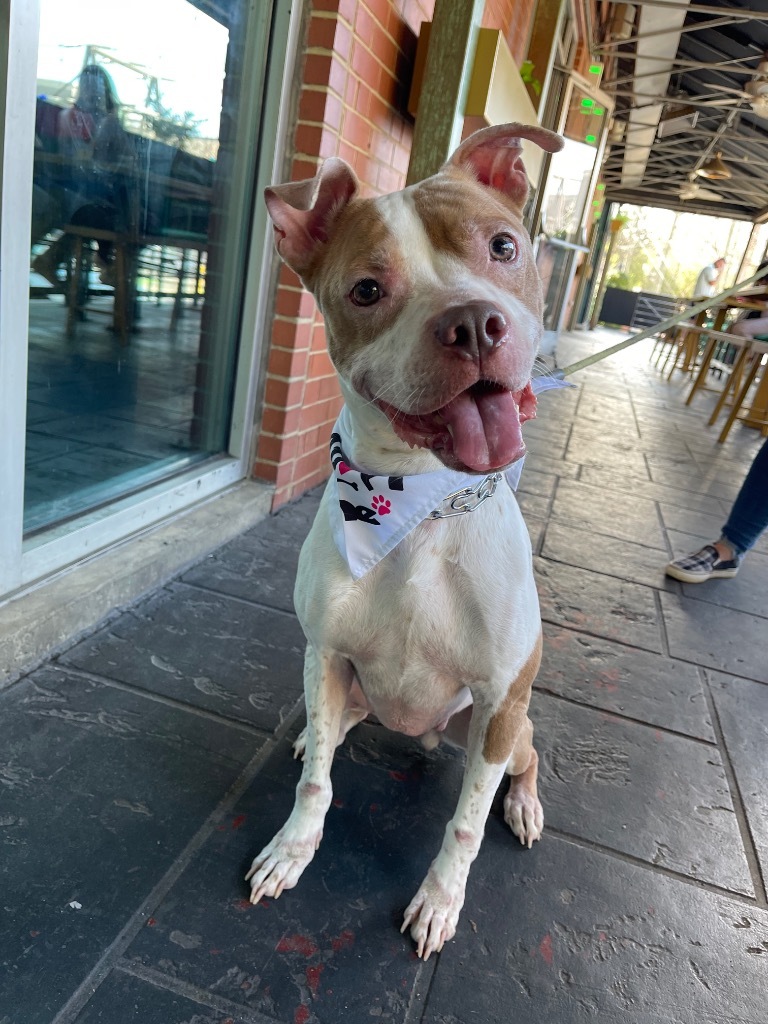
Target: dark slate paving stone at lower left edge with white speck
{"x":102,"y":790}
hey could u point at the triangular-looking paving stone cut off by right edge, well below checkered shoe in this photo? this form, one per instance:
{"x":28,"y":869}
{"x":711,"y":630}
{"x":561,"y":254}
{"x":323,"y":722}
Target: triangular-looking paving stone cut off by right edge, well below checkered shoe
{"x":743,"y":710}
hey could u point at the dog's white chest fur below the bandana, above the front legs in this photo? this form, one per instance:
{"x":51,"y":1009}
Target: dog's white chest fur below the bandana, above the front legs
{"x":454,"y":605}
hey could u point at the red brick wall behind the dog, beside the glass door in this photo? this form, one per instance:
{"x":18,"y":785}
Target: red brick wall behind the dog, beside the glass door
{"x":356,"y":77}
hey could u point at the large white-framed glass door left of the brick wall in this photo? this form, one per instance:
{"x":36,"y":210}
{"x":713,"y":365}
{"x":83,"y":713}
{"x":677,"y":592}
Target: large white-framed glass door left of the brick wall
{"x":137,"y":263}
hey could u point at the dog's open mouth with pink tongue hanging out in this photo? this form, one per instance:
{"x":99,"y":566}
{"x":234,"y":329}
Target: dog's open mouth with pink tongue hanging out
{"x":480,"y":430}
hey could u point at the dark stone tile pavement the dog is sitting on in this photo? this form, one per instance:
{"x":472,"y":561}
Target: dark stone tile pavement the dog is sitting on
{"x":141,"y":770}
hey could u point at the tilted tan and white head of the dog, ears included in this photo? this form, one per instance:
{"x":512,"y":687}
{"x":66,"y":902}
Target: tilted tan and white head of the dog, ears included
{"x":432,"y":297}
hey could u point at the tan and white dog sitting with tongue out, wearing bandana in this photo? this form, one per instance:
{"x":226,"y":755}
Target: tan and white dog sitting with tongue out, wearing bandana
{"x":433,"y":307}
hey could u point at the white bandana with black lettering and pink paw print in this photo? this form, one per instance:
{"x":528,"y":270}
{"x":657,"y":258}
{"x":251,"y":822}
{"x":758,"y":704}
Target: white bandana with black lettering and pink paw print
{"x":376,"y":513}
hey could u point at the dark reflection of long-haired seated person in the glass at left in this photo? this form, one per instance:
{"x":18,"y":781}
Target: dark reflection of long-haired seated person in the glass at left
{"x":83,"y":173}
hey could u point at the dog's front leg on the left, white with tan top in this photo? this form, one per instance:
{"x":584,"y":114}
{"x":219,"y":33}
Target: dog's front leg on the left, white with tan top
{"x":328,"y":678}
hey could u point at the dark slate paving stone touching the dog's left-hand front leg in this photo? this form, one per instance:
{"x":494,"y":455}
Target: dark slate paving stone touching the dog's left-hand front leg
{"x":206,"y":650}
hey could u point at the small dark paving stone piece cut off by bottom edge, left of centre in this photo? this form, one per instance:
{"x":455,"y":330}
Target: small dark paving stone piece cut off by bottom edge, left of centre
{"x":124,"y":1000}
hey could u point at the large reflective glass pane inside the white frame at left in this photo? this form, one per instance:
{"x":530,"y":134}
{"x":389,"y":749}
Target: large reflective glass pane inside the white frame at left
{"x":138,"y":247}
